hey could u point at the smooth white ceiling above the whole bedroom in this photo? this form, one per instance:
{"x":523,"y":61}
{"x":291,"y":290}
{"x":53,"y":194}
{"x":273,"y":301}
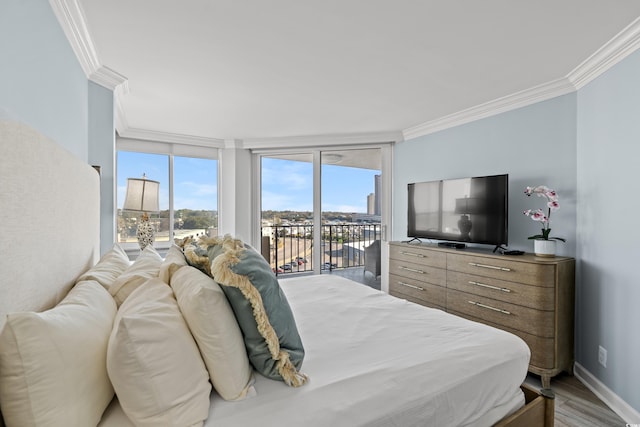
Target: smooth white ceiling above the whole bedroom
{"x":242,"y":70}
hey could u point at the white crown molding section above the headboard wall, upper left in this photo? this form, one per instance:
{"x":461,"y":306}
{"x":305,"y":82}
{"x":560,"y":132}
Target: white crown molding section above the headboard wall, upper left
{"x":73,"y":22}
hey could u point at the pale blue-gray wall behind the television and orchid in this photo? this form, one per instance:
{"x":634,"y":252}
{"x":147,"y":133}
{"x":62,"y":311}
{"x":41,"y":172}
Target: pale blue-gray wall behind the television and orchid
{"x":535,"y":145}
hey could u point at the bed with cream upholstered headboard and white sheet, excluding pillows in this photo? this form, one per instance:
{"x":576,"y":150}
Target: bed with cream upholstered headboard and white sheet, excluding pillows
{"x":371,"y":359}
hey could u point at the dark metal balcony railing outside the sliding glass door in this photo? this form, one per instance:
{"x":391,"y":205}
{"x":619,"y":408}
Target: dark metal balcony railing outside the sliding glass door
{"x":289,"y":248}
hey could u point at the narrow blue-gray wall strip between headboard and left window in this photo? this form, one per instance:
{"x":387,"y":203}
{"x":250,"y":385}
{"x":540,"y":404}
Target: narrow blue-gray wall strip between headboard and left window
{"x":102,"y":152}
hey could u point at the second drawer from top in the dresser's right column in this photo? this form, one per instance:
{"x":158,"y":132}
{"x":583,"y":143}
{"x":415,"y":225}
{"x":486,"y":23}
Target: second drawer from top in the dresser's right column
{"x":537,"y":297}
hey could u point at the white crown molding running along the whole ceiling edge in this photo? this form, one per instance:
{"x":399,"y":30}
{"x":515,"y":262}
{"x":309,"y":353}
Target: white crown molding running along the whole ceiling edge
{"x":73,"y":22}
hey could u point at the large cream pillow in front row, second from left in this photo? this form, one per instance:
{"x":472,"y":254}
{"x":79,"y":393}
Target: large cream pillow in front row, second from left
{"x":154,"y":363}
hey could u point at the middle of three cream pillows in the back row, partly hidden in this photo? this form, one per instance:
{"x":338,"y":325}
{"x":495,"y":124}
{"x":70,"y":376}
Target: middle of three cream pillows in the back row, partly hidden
{"x":145,"y":267}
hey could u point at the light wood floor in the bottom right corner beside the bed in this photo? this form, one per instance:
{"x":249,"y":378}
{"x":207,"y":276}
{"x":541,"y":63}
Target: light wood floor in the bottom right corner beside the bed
{"x":576,"y":405}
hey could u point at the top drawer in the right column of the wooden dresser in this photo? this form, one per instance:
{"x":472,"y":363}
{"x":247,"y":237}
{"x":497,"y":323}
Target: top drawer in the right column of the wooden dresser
{"x":513,"y":271}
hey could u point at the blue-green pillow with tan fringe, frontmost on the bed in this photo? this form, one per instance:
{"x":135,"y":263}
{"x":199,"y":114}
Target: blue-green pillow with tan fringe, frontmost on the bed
{"x":261,"y":309}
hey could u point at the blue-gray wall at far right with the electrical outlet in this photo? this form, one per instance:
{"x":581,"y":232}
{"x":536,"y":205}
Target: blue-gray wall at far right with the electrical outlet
{"x":608,"y":295}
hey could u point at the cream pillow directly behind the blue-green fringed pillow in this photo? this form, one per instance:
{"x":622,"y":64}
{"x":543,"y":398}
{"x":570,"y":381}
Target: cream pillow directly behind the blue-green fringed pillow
{"x":216,"y":331}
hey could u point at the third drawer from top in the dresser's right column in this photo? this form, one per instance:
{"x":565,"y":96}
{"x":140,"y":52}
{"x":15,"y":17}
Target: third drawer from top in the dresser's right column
{"x":534,"y":322}
